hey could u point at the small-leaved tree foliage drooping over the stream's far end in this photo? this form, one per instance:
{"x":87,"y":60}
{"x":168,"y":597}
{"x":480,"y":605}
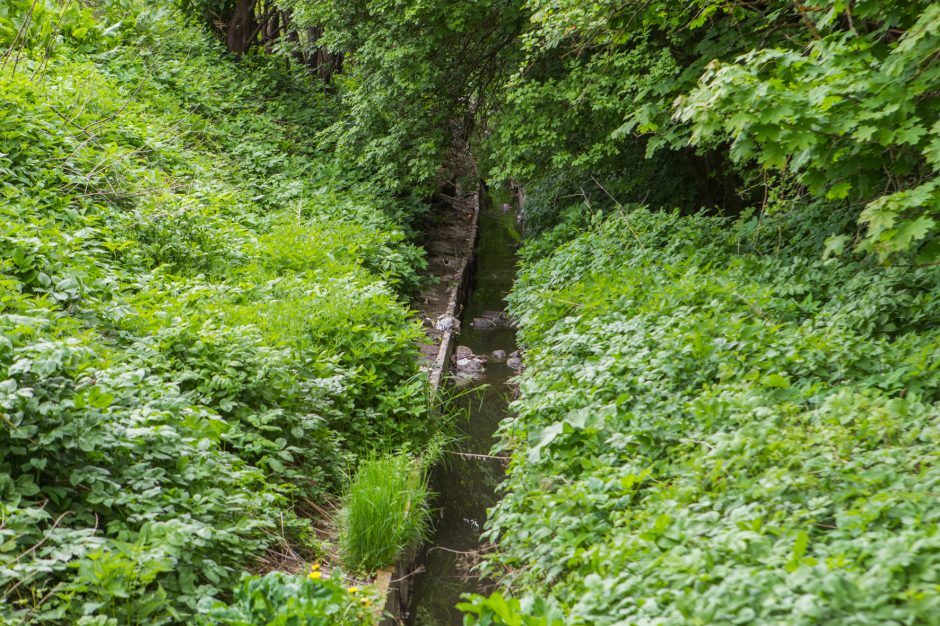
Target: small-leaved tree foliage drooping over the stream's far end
{"x":420,"y":75}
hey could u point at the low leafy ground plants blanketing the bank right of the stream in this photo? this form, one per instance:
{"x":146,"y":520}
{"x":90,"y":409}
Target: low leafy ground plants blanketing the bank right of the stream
{"x":718,"y":425}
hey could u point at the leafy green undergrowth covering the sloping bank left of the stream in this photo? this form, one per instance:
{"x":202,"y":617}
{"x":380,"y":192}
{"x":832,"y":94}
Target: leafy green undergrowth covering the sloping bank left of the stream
{"x":201,"y":314}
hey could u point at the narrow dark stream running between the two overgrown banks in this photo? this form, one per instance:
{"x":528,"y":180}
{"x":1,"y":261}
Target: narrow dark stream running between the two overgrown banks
{"x":467,"y":485}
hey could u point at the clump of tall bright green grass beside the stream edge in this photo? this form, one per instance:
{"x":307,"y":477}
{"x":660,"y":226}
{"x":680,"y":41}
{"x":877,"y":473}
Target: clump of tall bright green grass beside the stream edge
{"x":385,"y":510}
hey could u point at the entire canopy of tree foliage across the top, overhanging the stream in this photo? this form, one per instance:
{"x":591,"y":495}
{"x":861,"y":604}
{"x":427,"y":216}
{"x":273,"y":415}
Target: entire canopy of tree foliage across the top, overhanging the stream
{"x":702,"y":104}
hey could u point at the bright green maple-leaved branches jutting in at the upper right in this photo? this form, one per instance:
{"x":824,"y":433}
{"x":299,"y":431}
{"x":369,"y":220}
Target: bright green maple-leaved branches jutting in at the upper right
{"x":839,"y":114}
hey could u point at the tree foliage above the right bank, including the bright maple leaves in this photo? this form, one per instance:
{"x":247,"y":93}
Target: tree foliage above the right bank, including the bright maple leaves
{"x":831,"y":103}
